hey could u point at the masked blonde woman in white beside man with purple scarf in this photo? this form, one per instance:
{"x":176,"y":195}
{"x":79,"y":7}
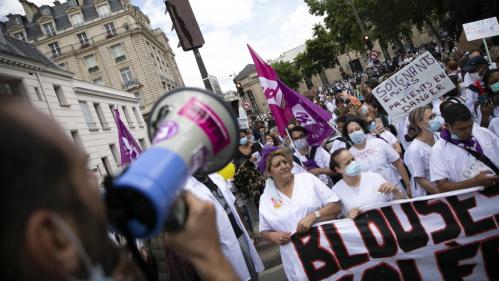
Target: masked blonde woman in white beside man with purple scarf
{"x":423,"y":127}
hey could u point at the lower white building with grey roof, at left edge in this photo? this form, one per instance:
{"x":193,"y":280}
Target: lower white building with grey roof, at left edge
{"x":82,"y":109}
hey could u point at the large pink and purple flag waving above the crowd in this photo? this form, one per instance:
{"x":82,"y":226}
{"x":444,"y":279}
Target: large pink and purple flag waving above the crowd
{"x":285,"y":103}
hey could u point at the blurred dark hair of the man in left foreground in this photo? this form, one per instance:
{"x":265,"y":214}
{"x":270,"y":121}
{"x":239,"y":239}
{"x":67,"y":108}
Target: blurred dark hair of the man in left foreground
{"x":35,"y":174}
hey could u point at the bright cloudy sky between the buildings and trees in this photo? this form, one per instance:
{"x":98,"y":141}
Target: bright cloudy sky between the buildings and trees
{"x":271,"y":27}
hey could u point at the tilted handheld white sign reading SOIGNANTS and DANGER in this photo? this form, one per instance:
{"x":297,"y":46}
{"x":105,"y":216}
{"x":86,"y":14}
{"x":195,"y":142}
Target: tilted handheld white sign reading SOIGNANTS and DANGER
{"x":417,"y":84}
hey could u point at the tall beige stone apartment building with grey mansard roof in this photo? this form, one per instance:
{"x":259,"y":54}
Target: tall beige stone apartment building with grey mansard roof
{"x":105,"y":42}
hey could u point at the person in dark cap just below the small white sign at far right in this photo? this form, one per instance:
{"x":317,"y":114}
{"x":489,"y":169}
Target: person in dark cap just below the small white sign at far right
{"x":473,"y":86}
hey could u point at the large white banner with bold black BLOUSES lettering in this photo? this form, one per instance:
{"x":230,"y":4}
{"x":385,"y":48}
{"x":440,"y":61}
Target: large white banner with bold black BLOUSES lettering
{"x":451,"y":236}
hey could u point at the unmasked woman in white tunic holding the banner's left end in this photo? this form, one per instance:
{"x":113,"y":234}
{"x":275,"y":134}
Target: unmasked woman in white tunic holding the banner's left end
{"x":292,"y":203}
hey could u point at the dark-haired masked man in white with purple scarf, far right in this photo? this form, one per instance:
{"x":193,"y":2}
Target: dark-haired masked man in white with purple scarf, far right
{"x":465,"y":155}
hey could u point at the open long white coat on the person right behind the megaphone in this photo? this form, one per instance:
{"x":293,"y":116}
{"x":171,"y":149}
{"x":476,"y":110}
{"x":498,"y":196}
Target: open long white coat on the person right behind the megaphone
{"x":240,"y":251}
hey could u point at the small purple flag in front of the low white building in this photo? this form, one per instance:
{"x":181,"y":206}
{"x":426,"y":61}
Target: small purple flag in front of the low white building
{"x":129,"y":148}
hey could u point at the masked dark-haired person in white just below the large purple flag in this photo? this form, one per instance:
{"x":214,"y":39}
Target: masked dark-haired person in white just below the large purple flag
{"x":314,"y":159}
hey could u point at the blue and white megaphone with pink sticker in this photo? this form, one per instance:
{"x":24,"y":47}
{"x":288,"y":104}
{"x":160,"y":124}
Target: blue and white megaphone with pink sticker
{"x":191,"y":130}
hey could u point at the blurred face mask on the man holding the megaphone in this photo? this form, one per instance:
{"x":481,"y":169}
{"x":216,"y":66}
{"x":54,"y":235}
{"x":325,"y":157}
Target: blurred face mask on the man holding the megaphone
{"x":95,"y":271}
